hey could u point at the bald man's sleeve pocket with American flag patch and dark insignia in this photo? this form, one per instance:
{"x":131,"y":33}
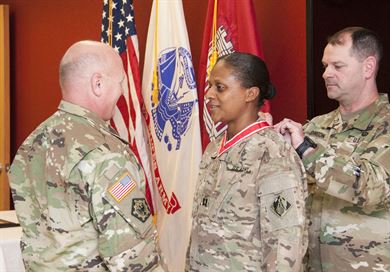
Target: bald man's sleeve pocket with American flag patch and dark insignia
{"x":125,"y":197}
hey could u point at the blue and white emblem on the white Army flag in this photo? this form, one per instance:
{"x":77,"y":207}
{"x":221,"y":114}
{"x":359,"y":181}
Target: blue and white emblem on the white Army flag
{"x":177,"y":96}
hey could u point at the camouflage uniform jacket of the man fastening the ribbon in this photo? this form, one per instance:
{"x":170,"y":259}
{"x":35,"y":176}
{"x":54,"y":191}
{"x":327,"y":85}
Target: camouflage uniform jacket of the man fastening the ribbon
{"x":349,"y":184}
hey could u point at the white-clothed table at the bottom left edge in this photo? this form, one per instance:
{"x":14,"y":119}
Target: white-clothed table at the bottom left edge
{"x":10,"y":233}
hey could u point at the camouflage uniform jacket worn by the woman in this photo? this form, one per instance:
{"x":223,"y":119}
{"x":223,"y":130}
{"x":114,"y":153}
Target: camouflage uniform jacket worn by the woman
{"x":249,"y":207}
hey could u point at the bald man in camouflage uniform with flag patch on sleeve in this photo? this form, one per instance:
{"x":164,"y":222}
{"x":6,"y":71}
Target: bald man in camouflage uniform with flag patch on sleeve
{"x":78,"y":189}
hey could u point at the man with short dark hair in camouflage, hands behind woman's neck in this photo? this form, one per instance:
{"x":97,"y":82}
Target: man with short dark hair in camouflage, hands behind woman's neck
{"x":347,"y":157}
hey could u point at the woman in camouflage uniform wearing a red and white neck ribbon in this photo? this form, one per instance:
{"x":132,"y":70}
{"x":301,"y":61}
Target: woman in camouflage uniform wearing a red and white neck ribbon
{"x":249,"y":207}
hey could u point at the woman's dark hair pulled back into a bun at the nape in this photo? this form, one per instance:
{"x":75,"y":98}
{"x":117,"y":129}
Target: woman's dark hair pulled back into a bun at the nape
{"x":251,"y":71}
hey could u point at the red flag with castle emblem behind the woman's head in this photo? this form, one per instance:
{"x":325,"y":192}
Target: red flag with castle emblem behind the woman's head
{"x":230,"y":26}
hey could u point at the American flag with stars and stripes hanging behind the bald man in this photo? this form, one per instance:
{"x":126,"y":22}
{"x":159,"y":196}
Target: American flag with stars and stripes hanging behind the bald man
{"x":118,"y":30}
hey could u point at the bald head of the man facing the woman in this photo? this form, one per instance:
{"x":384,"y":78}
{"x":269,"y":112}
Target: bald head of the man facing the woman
{"x":90,"y":70}
